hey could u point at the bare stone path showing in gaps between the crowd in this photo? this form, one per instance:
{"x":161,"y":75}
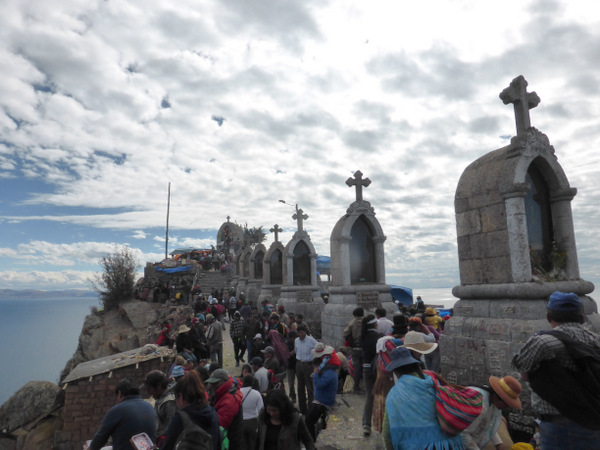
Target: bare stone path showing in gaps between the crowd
{"x":344,"y":429}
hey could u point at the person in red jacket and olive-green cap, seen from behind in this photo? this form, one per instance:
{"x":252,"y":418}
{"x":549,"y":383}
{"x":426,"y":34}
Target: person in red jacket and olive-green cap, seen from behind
{"x":227,"y":400}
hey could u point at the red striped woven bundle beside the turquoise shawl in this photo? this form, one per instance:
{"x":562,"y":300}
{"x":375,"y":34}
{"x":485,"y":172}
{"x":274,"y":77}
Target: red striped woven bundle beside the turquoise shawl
{"x":456,"y":407}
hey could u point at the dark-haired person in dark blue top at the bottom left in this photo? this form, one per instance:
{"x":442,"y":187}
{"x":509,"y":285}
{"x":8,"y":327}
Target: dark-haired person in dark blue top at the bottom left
{"x":130,"y":416}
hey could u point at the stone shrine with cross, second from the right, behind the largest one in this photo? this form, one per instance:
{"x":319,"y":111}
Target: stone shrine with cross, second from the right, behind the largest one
{"x":357,"y":266}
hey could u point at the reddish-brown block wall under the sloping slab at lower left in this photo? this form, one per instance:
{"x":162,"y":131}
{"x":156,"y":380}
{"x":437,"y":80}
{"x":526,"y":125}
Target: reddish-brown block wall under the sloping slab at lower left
{"x":86,"y":402}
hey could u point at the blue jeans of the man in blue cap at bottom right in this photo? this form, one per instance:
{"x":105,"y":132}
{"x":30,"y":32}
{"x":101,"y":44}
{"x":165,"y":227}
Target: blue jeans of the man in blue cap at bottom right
{"x":568,"y":435}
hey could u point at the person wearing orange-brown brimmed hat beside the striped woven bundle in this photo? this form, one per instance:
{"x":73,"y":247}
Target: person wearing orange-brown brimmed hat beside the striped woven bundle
{"x":501,"y":394}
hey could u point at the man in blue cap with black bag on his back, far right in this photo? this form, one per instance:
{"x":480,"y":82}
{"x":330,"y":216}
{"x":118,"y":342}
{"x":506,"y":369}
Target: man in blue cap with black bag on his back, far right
{"x":562,"y":396}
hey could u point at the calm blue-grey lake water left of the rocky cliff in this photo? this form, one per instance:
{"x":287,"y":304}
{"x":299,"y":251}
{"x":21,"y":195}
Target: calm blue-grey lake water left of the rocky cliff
{"x":37,"y":338}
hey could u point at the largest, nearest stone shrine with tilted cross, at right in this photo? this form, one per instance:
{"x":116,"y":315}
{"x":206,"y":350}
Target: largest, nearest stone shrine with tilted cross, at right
{"x":516,"y":246}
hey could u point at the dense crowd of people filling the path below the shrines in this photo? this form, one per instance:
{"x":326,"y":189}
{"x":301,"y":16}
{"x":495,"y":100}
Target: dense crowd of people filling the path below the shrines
{"x":288,"y":381}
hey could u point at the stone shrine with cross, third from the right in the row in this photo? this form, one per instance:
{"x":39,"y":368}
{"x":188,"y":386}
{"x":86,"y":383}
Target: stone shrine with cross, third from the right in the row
{"x":299,"y":290}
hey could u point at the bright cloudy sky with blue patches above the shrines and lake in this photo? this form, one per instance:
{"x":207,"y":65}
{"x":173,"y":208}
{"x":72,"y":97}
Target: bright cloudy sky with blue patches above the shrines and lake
{"x":240,"y":104}
